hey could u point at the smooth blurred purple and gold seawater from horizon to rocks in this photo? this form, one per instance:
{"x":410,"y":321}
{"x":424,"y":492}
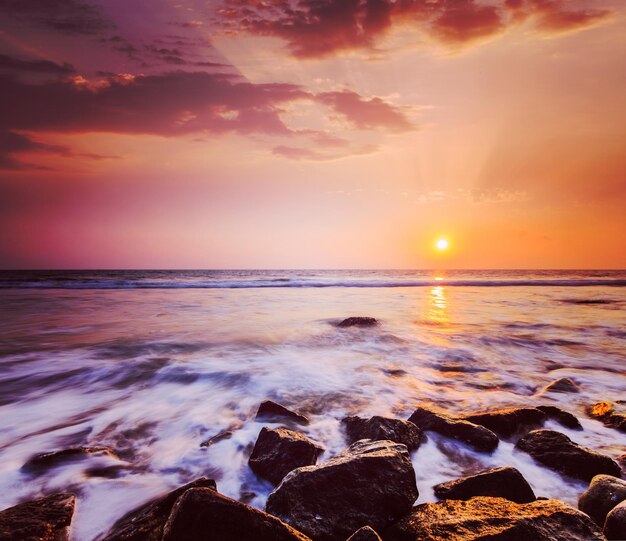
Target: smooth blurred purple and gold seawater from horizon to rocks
{"x":152,"y":363}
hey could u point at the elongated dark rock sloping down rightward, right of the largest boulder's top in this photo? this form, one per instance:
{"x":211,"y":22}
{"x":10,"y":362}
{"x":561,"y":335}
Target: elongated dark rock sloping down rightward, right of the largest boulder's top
{"x":480,"y":438}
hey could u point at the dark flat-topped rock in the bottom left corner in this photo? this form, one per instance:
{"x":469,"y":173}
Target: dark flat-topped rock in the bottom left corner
{"x":45,"y":519}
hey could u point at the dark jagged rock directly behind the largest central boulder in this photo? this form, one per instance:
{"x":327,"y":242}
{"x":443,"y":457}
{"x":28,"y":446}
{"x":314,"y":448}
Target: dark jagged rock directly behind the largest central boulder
{"x":383,"y":428}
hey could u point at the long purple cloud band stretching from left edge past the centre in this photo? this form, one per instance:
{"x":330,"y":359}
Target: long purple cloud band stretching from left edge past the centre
{"x":176,"y":103}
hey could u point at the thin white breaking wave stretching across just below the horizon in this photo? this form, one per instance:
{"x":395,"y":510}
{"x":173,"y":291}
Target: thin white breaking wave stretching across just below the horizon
{"x":286,"y":283}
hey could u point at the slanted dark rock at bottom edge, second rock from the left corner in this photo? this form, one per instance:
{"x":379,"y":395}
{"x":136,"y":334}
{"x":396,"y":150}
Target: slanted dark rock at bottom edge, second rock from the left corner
{"x":146,"y":522}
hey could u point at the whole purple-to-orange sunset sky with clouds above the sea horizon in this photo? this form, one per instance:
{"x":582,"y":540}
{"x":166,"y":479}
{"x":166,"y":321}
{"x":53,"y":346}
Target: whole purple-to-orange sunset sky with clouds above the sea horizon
{"x":312,"y":133}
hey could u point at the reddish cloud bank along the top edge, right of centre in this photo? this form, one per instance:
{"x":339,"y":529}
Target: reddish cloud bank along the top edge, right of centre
{"x":318,"y":28}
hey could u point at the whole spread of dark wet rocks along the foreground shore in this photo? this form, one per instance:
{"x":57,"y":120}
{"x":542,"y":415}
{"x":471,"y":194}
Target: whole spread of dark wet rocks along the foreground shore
{"x":368,"y":491}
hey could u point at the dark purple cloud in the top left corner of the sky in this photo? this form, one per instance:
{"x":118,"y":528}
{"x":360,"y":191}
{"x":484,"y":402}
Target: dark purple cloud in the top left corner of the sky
{"x":65,"y":16}
